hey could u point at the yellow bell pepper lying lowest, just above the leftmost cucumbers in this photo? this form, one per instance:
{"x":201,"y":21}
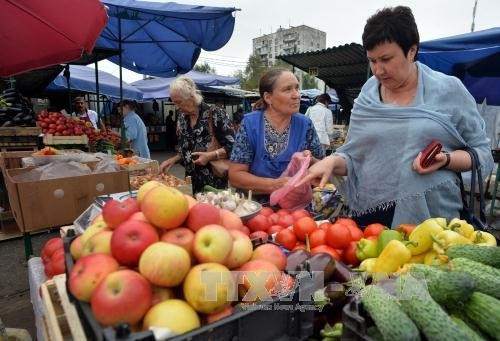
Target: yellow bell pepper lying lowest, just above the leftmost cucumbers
{"x":392,"y":257}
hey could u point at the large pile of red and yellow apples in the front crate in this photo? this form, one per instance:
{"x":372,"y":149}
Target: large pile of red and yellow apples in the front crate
{"x":167,"y":261}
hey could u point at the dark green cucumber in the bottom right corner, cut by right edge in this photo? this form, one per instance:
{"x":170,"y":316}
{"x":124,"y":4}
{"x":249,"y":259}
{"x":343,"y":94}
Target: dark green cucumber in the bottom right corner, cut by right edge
{"x":484,"y":311}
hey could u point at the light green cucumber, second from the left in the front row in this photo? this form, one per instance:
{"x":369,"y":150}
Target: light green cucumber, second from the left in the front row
{"x":430,"y":318}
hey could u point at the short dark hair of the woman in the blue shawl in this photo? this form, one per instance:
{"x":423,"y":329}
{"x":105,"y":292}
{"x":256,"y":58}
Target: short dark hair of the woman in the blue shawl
{"x":392,"y":24}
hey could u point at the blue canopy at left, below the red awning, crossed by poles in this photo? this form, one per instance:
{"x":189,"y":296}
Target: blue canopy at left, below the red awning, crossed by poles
{"x":83,"y":78}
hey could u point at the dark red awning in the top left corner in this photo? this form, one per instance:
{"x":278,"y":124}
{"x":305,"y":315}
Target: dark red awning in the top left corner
{"x":40,"y":33}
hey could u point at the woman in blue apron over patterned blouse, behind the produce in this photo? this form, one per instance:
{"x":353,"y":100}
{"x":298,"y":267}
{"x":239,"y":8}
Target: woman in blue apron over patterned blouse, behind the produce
{"x":268,"y":137}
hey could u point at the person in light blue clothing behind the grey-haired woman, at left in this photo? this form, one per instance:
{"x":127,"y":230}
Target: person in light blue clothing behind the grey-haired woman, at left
{"x":135,"y":129}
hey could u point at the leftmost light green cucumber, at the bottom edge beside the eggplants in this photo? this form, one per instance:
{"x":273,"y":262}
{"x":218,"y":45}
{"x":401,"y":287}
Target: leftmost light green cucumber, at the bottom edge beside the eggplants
{"x":385,"y":311}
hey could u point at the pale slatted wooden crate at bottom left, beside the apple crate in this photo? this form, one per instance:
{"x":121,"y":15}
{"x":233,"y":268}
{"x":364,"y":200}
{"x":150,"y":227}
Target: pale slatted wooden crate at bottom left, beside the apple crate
{"x":61,"y":320}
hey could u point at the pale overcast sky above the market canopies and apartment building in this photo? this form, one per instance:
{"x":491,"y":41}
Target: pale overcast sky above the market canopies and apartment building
{"x":343,"y":21}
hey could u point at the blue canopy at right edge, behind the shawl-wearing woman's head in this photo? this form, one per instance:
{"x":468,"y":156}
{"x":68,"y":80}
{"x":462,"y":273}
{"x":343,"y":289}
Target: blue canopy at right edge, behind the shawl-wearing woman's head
{"x":472,"y":57}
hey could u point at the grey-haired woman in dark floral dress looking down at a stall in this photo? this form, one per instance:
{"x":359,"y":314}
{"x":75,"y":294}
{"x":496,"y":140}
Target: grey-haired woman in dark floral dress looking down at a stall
{"x":194,"y":130}
